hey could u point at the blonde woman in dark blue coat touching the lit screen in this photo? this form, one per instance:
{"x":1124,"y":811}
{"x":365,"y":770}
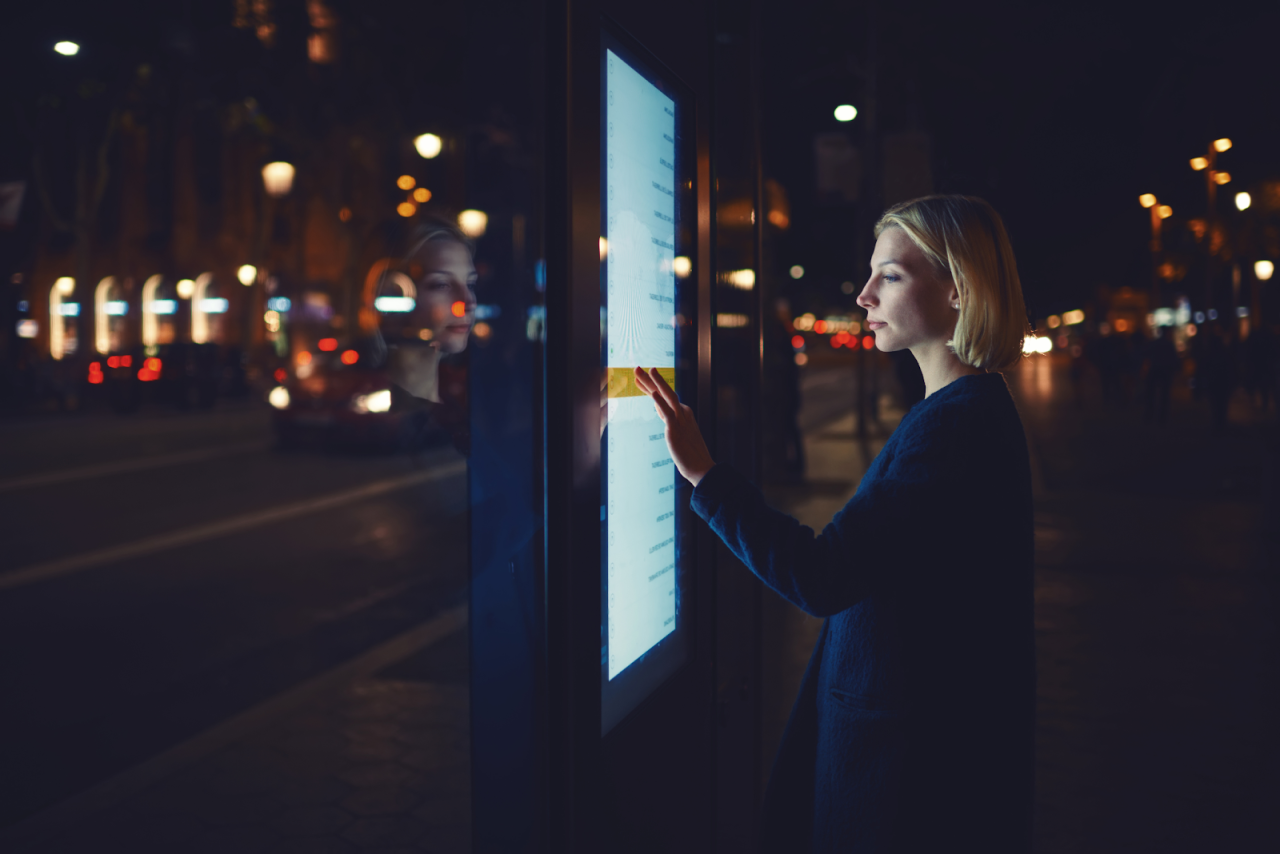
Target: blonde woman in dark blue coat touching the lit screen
{"x":915,"y":725}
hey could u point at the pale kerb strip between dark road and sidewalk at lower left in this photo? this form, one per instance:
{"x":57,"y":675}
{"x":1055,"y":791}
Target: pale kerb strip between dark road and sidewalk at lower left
{"x":127,"y":784}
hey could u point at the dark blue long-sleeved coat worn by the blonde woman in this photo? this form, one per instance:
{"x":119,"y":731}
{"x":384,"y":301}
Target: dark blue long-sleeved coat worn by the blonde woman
{"x":915,"y":727}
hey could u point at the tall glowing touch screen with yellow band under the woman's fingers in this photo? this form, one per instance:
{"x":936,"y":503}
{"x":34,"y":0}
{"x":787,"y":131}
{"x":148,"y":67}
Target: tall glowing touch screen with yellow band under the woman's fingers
{"x":648,"y":227}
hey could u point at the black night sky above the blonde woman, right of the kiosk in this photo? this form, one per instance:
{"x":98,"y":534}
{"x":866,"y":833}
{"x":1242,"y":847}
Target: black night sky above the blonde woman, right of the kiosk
{"x":1060,"y":116}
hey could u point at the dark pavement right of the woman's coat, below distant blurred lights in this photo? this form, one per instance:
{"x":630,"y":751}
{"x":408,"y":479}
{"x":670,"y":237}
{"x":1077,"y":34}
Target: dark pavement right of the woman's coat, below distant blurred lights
{"x":1158,"y":633}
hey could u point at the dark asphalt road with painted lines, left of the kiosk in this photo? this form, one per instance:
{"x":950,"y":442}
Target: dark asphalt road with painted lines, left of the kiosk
{"x":168,"y":572}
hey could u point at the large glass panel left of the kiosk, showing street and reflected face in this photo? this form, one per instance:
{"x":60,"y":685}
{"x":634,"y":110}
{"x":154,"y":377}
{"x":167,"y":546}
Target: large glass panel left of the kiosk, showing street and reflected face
{"x":272,"y":483}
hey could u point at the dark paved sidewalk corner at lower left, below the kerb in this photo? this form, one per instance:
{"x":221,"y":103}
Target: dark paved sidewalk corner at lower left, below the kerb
{"x":378,"y":764}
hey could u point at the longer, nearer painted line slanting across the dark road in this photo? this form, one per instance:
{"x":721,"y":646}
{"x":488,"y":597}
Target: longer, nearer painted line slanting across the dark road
{"x":213,"y":531}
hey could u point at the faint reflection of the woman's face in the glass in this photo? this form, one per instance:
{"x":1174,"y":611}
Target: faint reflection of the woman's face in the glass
{"x":446,"y":300}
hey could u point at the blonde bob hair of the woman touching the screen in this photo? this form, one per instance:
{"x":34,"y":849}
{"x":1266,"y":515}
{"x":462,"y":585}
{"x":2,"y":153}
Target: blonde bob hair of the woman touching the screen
{"x":966,"y":240}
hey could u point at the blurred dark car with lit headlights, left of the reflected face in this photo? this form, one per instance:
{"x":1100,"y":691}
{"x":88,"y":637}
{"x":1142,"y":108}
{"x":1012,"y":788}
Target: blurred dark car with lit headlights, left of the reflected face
{"x":336,"y":399}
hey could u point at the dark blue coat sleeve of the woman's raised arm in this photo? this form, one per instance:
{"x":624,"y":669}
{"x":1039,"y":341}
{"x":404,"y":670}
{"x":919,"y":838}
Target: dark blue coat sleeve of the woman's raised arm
{"x":879,"y":538}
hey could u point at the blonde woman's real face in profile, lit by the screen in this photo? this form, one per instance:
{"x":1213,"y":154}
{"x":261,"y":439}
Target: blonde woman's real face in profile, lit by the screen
{"x":908,"y":303}
